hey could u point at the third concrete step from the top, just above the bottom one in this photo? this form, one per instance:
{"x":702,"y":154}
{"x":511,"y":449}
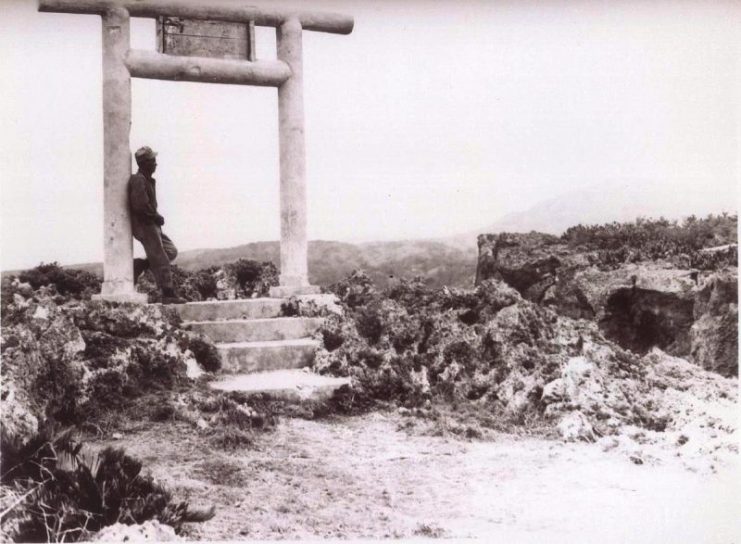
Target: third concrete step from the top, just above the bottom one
{"x":239,"y":357}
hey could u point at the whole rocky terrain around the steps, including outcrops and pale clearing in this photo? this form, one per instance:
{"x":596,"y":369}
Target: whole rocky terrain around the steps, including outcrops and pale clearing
{"x":576,"y":394}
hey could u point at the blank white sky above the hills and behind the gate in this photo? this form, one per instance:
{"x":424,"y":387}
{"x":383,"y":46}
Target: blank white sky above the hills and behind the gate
{"x":431,"y":118}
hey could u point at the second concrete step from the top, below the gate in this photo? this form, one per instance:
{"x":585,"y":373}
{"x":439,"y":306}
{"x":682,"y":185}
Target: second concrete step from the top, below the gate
{"x":257,"y":330}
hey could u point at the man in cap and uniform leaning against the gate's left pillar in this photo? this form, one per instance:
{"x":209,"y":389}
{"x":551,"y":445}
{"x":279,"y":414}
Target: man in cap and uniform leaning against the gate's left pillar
{"x":146,"y":226}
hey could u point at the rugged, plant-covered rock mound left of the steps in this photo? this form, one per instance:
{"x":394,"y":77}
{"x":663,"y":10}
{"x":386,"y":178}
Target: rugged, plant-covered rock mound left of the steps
{"x":68,"y":360}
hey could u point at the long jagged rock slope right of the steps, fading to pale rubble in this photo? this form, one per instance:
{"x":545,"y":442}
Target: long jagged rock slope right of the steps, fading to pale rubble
{"x":522,"y":364}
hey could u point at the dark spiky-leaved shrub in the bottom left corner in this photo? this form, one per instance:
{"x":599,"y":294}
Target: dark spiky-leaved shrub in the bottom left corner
{"x":69,"y":493}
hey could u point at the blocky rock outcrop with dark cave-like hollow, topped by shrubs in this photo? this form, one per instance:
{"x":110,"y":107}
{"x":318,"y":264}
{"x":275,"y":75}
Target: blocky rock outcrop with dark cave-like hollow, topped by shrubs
{"x":685,"y":312}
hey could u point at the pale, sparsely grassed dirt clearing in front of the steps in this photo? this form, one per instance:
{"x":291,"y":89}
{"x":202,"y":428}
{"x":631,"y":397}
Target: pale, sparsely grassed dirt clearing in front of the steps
{"x":364,"y":477}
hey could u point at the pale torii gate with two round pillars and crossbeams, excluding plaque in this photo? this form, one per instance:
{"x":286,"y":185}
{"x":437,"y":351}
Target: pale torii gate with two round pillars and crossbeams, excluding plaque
{"x":120,"y":63}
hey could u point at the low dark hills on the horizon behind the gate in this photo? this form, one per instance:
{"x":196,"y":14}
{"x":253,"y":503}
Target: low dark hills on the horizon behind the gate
{"x":441,"y":263}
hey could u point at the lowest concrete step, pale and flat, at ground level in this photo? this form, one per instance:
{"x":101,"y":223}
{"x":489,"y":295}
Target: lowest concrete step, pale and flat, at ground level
{"x":288,"y":384}
